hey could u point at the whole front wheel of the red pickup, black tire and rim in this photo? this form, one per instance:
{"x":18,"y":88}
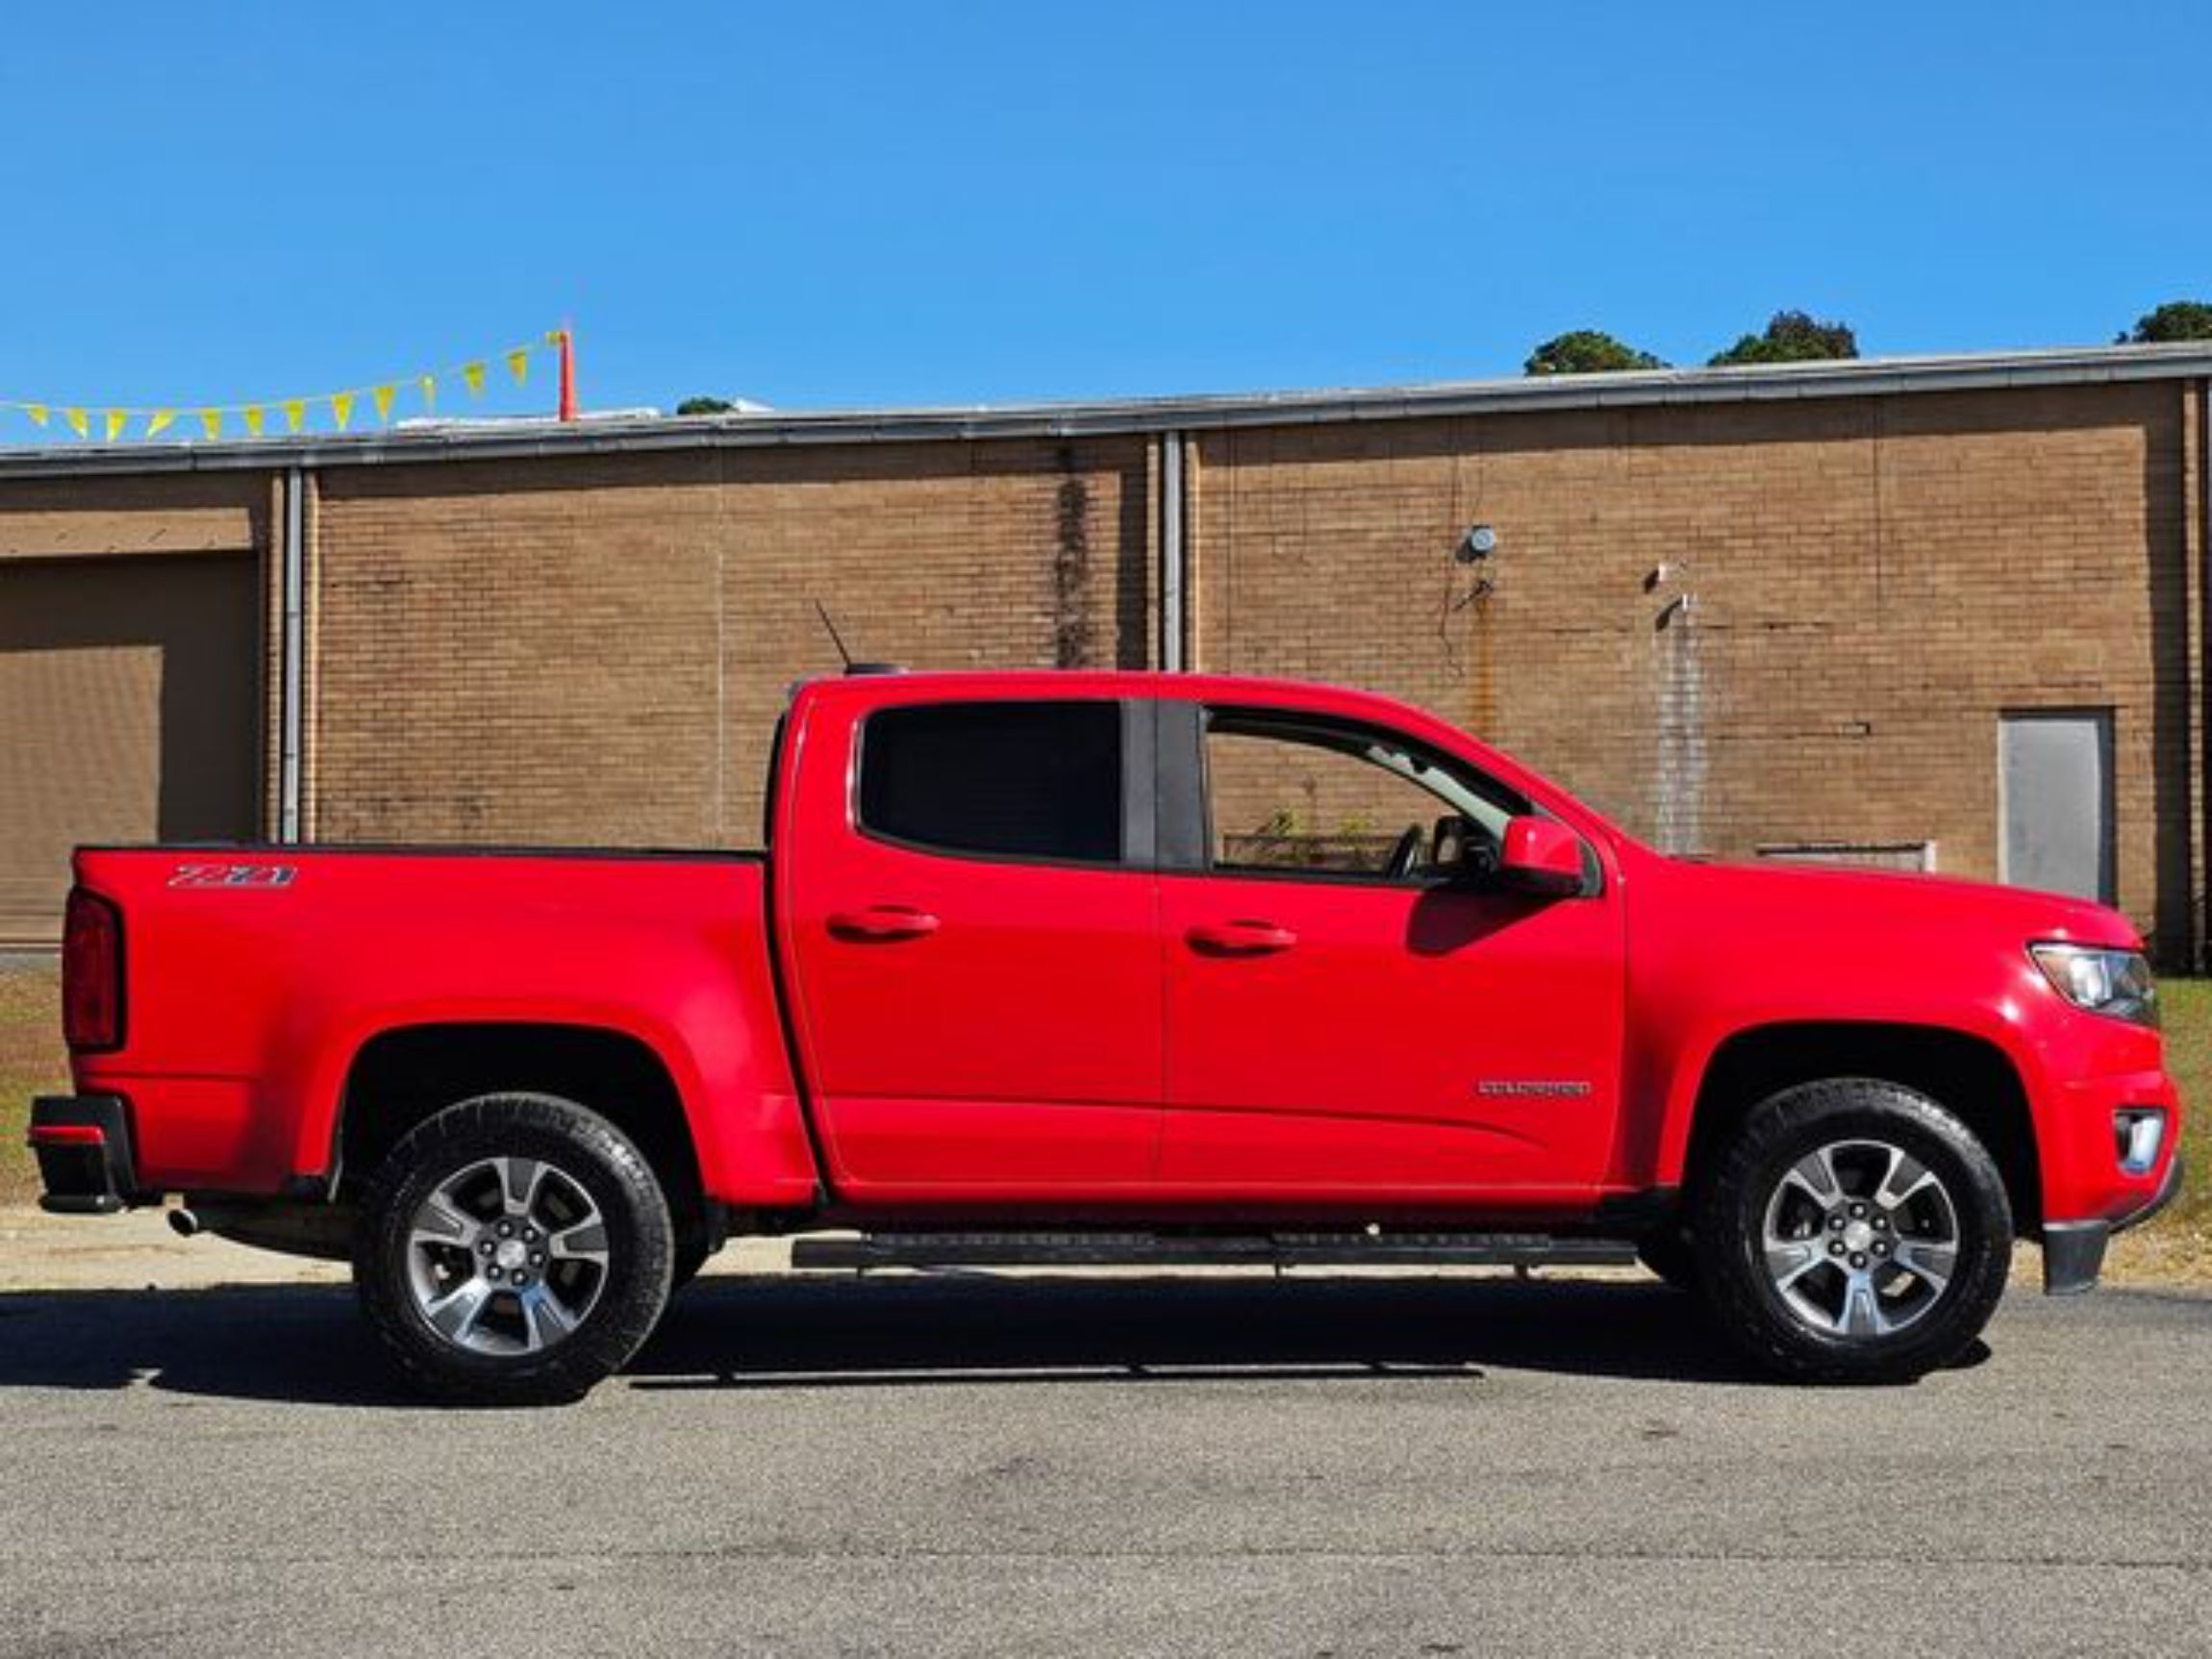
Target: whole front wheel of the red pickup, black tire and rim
{"x":1899,"y":1324}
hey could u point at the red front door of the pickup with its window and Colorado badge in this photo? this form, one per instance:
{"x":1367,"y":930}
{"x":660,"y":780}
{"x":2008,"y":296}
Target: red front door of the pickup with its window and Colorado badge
{"x":1344,"y":1019}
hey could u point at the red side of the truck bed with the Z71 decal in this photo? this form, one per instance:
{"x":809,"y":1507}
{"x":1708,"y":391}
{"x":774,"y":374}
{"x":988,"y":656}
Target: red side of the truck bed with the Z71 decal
{"x":278,"y":968}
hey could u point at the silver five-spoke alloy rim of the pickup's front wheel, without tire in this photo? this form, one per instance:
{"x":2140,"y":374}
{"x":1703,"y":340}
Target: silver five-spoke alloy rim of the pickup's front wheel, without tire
{"x":1861,"y":1240}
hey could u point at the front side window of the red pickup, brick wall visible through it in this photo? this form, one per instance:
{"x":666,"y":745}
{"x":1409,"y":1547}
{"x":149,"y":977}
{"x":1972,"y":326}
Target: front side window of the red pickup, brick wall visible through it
{"x":1315,"y":797}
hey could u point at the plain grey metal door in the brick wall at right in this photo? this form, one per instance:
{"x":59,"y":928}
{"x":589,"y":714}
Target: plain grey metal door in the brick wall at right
{"x":2056,"y":802}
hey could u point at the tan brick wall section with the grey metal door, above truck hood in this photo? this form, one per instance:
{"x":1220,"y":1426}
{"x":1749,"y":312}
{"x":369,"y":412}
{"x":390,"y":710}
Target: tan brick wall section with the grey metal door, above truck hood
{"x":1740,"y":625}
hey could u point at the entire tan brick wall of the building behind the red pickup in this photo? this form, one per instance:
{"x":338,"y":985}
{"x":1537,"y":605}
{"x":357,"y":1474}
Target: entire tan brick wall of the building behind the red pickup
{"x":1729,"y":625}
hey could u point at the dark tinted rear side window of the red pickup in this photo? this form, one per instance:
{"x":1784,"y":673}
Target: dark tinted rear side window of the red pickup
{"x":997,"y":780}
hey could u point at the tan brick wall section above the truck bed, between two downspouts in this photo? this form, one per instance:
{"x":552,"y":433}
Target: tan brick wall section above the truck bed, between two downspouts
{"x":596,"y":651}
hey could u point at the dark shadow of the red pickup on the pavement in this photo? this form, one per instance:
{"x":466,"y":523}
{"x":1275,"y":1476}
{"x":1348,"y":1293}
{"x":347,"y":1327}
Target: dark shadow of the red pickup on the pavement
{"x":306,"y":1344}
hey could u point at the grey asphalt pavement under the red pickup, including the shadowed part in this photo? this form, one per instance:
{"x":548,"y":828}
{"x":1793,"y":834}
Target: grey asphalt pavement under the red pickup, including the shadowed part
{"x":1105,"y":1465}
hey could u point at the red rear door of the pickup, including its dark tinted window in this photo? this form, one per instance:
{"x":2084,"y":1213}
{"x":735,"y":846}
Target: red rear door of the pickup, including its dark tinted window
{"x":970,"y":926}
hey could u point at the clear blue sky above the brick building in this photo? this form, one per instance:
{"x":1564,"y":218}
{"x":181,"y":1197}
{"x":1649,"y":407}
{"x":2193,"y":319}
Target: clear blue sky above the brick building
{"x":851,"y":205}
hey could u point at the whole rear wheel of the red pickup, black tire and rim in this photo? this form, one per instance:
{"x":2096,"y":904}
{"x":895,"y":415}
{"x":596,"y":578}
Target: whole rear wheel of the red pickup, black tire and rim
{"x":614,"y":1302}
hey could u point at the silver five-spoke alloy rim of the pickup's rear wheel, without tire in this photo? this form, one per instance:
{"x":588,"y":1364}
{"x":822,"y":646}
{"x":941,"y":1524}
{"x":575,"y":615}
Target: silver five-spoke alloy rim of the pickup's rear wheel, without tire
{"x":508,"y":1258}
